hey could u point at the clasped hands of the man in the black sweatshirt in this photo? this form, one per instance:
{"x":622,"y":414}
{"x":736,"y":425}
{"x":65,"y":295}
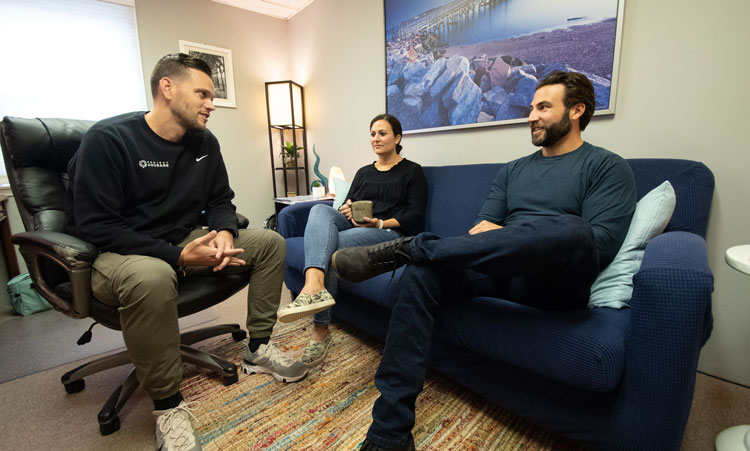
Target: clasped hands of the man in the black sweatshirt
{"x":215,"y":249}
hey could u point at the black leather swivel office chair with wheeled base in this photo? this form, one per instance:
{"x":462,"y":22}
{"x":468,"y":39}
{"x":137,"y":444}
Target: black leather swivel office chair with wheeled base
{"x":36,"y":154}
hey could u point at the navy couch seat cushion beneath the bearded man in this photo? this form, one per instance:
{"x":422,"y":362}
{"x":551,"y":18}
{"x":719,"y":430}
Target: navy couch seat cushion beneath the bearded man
{"x":583,"y":348}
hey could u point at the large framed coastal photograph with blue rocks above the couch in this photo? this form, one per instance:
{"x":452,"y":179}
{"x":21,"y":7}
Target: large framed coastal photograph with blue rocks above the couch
{"x":466,"y":63}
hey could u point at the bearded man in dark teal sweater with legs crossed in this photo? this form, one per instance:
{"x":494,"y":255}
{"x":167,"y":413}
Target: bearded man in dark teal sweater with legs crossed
{"x":551,"y":222}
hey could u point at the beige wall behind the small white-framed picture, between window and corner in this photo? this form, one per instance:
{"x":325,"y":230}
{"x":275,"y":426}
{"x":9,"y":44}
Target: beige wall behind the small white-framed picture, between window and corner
{"x":260,"y":47}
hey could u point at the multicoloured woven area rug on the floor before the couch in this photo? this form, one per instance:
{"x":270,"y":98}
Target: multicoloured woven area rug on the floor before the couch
{"x":330,"y":409}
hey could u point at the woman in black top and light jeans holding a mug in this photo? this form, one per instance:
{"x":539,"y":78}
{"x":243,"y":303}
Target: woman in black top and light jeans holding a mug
{"x":398,"y":191}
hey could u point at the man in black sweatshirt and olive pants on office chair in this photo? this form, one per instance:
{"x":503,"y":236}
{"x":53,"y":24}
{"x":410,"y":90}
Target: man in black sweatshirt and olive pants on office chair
{"x":139,"y":184}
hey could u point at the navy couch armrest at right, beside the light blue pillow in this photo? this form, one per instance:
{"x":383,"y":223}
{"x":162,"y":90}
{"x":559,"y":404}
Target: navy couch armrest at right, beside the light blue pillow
{"x":670,"y":321}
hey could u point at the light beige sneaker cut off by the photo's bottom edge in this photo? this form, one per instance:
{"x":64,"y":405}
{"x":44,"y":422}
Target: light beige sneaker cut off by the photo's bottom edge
{"x":174,"y":431}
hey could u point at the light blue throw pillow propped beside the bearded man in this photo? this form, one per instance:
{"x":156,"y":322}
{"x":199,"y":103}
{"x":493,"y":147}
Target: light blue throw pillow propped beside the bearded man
{"x":614,"y":286}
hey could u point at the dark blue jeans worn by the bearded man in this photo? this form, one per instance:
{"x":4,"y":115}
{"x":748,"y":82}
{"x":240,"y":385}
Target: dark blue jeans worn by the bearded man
{"x":549,"y":263}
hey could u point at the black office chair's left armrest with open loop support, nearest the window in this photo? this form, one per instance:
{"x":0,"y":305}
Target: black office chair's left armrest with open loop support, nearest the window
{"x":73,"y":255}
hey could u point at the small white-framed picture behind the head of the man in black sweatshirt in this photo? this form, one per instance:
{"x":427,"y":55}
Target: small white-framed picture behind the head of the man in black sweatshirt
{"x":220,"y":61}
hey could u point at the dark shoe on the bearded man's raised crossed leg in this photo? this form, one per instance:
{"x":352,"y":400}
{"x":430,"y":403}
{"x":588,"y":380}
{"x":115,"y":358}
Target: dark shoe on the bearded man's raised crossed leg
{"x":356,"y":264}
